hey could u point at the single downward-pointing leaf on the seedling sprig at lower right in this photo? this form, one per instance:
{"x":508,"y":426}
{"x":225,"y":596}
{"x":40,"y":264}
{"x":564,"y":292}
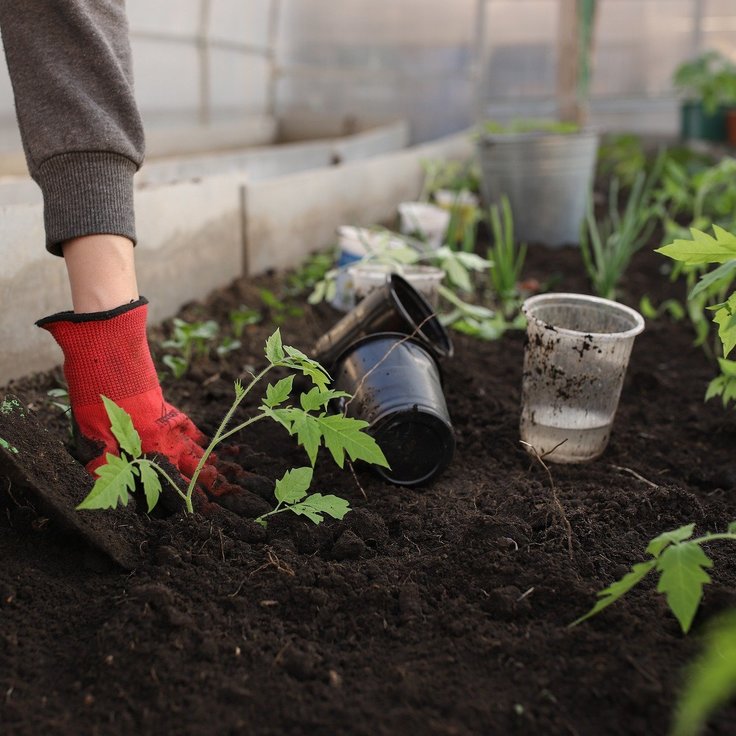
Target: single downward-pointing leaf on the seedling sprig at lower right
{"x":682,"y":567}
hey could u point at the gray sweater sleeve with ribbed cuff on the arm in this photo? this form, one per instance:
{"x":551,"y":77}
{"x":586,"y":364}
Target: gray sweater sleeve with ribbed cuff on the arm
{"x":70,"y":67}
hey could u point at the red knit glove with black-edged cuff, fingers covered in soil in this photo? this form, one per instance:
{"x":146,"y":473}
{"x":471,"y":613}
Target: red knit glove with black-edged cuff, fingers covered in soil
{"x":107,"y":353}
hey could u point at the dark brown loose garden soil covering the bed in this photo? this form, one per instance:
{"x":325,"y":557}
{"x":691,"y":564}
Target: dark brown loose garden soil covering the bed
{"x":435,"y":610}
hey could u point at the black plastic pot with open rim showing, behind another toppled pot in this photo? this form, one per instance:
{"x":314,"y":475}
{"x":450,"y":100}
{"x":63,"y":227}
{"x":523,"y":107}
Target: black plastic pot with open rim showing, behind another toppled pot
{"x":394,"y":307}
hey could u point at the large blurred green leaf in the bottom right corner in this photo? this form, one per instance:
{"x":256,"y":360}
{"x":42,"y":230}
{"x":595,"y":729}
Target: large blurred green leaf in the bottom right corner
{"x":711,"y":680}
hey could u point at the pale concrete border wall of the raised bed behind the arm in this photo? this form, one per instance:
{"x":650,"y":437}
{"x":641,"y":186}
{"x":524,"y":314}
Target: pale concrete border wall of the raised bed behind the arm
{"x":203,"y":221}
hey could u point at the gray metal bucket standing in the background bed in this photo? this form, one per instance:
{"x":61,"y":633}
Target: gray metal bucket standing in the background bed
{"x":547,"y":178}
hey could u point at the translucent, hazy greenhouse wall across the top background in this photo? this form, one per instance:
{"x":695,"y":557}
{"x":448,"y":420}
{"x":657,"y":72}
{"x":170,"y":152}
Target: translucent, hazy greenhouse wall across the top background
{"x":217,"y":74}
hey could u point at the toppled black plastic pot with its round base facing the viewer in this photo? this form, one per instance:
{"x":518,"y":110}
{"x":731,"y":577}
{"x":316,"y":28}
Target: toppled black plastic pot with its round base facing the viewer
{"x":396,"y":386}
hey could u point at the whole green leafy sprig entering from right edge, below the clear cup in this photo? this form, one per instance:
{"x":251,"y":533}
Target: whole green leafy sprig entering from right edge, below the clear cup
{"x":681,"y":563}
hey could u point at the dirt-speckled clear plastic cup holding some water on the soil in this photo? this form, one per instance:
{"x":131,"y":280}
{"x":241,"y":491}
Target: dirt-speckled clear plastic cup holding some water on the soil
{"x":575,"y":360}
